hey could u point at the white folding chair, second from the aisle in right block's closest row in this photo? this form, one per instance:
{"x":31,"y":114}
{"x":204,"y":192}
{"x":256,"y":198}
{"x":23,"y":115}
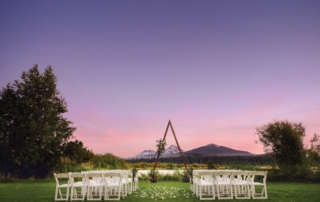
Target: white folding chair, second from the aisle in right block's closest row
{"x":223,"y":182}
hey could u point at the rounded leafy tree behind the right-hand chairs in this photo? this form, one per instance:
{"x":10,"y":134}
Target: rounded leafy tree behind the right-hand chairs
{"x":284,"y":142}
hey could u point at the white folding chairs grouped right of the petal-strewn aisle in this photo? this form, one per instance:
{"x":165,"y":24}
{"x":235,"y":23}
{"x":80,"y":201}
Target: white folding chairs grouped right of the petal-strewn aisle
{"x":226,"y":183}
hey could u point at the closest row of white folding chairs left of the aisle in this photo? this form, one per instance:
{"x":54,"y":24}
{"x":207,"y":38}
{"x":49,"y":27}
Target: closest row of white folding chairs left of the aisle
{"x":90,"y":184}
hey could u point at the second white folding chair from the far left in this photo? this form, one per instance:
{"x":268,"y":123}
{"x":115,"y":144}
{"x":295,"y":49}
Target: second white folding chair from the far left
{"x":78,"y":186}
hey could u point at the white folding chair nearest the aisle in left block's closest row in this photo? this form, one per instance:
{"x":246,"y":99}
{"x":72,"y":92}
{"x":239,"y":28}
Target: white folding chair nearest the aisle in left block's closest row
{"x":112,"y":185}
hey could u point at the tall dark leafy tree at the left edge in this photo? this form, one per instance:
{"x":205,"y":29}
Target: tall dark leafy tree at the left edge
{"x":33,"y":132}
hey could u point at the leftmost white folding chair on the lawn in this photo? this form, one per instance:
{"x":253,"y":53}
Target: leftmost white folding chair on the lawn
{"x":62,"y":187}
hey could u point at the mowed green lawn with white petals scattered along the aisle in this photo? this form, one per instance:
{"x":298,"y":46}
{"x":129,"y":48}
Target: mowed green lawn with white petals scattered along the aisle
{"x":42,"y":191}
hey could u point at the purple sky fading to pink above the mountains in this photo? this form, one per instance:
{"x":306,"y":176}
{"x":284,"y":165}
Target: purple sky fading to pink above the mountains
{"x":216,"y":69}
